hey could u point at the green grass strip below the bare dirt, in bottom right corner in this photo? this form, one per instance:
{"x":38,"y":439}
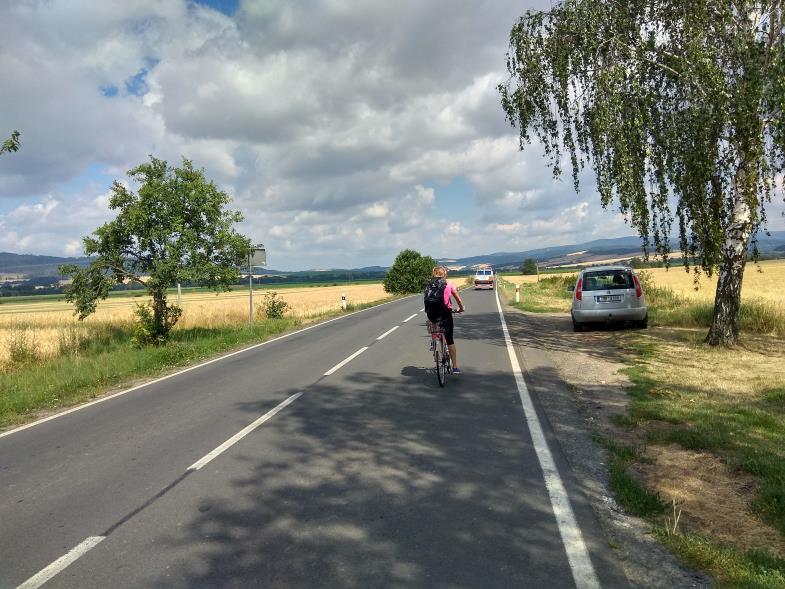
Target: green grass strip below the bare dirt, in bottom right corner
{"x":754,"y":569}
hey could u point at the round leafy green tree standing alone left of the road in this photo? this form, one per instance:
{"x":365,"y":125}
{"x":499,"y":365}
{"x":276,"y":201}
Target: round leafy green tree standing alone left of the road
{"x":173,"y":229}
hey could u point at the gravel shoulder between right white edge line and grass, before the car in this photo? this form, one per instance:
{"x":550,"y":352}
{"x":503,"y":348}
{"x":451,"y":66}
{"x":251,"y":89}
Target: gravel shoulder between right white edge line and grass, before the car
{"x":574,"y":378}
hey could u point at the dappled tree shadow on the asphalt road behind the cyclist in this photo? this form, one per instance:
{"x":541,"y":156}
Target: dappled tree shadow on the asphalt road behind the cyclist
{"x":383,"y":481}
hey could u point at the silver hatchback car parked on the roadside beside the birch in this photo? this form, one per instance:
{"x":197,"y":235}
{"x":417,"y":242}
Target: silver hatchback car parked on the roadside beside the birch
{"x":605,"y":294}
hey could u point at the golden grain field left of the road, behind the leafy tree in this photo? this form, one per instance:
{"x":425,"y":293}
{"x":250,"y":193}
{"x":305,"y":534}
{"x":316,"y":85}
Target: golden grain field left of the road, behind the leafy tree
{"x":47,"y":325}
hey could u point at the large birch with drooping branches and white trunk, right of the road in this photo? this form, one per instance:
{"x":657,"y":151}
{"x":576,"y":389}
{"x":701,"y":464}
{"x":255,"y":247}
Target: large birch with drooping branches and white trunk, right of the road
{"x":674,"y":105}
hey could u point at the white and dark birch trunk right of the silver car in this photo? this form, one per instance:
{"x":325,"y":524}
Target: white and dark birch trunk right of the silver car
{"x":727,"y":301}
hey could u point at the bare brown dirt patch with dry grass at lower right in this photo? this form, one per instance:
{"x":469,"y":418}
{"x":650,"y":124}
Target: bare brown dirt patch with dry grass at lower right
{"x":713,"y":500}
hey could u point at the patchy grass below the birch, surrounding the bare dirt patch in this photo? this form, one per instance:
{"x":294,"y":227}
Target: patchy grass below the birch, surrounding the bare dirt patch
{"x":730,"y":403}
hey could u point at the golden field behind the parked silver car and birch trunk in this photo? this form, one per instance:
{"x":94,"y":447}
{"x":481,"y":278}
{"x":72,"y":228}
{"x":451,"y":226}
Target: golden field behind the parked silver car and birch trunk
{"x":764,"y":281}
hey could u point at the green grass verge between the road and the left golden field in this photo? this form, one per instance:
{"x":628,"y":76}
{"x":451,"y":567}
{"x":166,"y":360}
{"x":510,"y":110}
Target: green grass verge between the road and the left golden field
{"x":109,"y":359}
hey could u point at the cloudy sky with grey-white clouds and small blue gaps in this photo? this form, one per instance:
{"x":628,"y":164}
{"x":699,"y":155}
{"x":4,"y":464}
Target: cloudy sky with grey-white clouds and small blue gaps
{"x":344,"y":130}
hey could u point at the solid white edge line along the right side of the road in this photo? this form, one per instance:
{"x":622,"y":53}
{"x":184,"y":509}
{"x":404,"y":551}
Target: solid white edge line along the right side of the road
{"x":577,"y":554}
